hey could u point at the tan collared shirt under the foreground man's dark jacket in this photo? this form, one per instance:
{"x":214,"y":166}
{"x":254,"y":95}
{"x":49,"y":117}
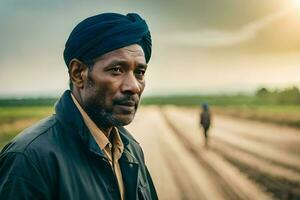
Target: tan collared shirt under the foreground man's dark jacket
{"x":113,"y":150}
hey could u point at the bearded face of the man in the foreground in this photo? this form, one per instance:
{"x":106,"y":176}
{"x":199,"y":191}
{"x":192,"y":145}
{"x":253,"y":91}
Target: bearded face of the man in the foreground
{"x":113,"y":88}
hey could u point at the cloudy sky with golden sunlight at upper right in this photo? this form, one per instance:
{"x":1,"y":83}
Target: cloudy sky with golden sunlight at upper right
{"x":199,"y":46}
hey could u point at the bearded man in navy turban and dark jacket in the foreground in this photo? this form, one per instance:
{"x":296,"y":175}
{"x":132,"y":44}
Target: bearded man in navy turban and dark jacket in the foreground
{"x":83,"y":151}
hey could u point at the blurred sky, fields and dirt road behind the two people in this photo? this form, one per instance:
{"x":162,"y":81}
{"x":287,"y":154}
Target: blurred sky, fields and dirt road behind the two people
{"x":241,"y":58}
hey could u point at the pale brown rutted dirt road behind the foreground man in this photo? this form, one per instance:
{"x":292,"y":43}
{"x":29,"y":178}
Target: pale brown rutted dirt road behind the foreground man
{"x":245,"y":159}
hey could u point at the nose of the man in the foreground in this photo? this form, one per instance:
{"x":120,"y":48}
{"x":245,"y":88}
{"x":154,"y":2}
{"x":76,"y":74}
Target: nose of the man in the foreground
{"x":131,"y":84}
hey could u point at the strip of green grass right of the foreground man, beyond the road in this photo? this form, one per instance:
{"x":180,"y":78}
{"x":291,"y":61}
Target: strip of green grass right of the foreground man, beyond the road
{"x":243,"y":106}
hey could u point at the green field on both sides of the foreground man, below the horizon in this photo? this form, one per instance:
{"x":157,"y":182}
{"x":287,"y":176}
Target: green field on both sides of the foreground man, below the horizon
{"x":19,"y":114}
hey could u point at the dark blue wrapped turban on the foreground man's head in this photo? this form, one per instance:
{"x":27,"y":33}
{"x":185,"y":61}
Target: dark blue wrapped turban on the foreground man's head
{"x":106,"y":32}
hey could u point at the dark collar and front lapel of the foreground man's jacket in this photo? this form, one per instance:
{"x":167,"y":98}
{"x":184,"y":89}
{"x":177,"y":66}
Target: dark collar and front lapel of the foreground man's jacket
{"x":71,"y":119}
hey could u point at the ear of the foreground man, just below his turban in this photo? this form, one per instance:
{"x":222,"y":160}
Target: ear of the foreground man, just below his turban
{"x":78,"y":73}
